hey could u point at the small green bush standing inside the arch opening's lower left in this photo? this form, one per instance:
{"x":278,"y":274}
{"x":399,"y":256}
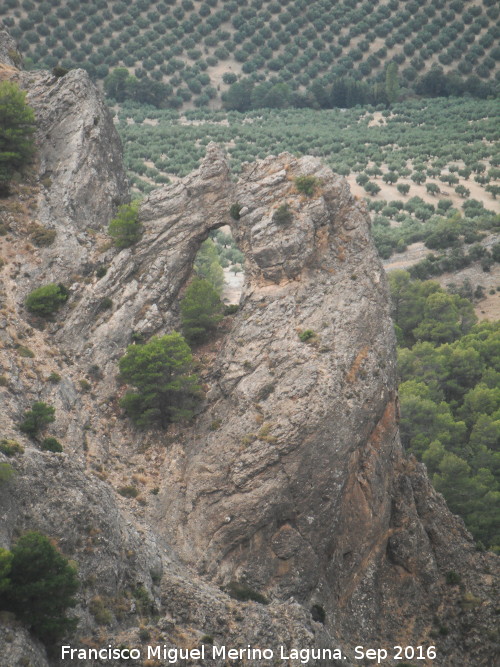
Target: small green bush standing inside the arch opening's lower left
{"x":201,"y":310}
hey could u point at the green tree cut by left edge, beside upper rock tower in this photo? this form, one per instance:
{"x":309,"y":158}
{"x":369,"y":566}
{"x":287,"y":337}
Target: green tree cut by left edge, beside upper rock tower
{"x":17,"y":125}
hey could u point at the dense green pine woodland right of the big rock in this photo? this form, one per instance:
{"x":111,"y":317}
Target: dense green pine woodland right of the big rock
{"x":450,"y":398}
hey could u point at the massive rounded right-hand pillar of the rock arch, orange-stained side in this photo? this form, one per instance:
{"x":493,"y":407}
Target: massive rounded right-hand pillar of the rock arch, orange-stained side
{"x":308,"y":427}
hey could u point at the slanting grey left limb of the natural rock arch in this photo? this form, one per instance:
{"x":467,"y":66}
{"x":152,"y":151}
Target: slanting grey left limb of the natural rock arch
{"x":144,"y":281}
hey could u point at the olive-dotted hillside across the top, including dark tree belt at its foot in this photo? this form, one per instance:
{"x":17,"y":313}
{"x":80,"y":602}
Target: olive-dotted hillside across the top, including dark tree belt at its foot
{"x":309,"y":52}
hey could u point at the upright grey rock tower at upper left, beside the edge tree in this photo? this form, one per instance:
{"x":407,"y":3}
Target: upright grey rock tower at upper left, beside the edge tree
{"x":78,"y":144}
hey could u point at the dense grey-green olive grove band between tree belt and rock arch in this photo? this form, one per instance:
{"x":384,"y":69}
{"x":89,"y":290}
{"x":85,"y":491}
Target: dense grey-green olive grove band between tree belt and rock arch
{"x":349,"y":141}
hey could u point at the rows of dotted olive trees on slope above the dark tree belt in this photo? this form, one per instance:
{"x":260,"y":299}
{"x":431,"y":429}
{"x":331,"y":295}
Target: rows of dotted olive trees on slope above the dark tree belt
{"x":296,"y":45}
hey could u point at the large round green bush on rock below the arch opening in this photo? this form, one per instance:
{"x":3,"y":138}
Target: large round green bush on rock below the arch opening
{"x":162,"y":372}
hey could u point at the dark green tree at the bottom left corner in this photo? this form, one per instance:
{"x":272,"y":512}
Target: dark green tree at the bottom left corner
{"x":41,"y":588}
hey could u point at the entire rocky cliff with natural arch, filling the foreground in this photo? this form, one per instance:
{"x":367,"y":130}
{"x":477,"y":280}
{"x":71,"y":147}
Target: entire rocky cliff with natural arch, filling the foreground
{"x":290,"y":480}
